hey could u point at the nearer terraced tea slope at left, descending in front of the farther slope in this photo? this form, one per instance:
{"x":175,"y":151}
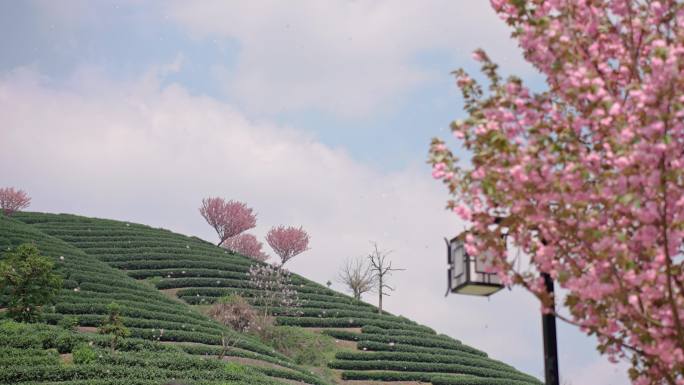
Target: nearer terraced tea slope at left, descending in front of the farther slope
{"x":151,"y":316}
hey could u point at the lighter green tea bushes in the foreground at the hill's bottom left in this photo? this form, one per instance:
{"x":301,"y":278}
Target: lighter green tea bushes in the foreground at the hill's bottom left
{"x":30,"y":354}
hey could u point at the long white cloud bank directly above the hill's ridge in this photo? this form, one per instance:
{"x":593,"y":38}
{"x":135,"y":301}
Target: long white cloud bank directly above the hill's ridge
{"x":138,"y":152}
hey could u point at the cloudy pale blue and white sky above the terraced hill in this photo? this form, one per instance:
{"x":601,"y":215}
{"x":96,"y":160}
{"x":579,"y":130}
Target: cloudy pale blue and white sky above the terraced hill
{"x":314,"y":113}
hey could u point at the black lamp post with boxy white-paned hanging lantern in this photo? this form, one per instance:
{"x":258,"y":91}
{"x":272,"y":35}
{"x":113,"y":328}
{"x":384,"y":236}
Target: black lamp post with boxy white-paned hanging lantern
{"x":471,"y":275}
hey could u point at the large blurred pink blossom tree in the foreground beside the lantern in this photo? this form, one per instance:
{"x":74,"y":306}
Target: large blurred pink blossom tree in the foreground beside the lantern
{"x":587,"y":177}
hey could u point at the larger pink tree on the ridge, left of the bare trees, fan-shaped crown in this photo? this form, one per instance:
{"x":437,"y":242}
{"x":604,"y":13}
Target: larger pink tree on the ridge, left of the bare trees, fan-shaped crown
{"x":227,"y":218}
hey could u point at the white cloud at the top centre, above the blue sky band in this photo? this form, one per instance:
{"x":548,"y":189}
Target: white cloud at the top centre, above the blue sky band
{"x":344,"y":57}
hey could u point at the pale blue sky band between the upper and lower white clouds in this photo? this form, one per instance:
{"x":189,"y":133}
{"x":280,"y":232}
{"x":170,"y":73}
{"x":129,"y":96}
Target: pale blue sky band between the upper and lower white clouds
{"x":122,"y":40}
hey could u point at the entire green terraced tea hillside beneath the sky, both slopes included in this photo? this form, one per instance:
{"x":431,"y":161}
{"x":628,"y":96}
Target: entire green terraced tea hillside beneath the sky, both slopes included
{"x":164,"y":280}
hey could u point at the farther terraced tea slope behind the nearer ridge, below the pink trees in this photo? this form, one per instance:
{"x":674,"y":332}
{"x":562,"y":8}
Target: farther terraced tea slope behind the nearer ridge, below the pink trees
{"x":391,"y":348}
